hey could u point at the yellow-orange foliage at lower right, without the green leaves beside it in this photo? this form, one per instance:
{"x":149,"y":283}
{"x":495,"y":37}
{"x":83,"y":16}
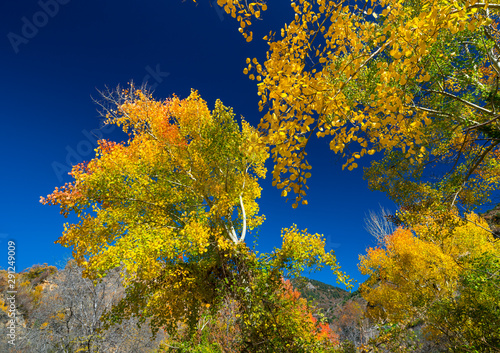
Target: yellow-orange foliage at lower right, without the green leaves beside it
{"x":415,"y":269}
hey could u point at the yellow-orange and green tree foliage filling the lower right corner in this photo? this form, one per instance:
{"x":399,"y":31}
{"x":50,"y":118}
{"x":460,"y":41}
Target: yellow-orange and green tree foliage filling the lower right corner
{"x":445,"y":280}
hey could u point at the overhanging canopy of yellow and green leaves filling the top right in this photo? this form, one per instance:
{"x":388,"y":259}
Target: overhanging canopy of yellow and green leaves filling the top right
{"x":392,"y":76}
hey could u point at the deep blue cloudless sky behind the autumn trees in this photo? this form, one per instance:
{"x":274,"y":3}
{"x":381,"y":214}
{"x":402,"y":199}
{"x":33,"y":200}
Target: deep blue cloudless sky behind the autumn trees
{"x":50,"y":72}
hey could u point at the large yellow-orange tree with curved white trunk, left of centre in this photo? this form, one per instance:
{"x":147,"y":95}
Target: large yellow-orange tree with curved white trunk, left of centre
{"x":172,"y":207}
